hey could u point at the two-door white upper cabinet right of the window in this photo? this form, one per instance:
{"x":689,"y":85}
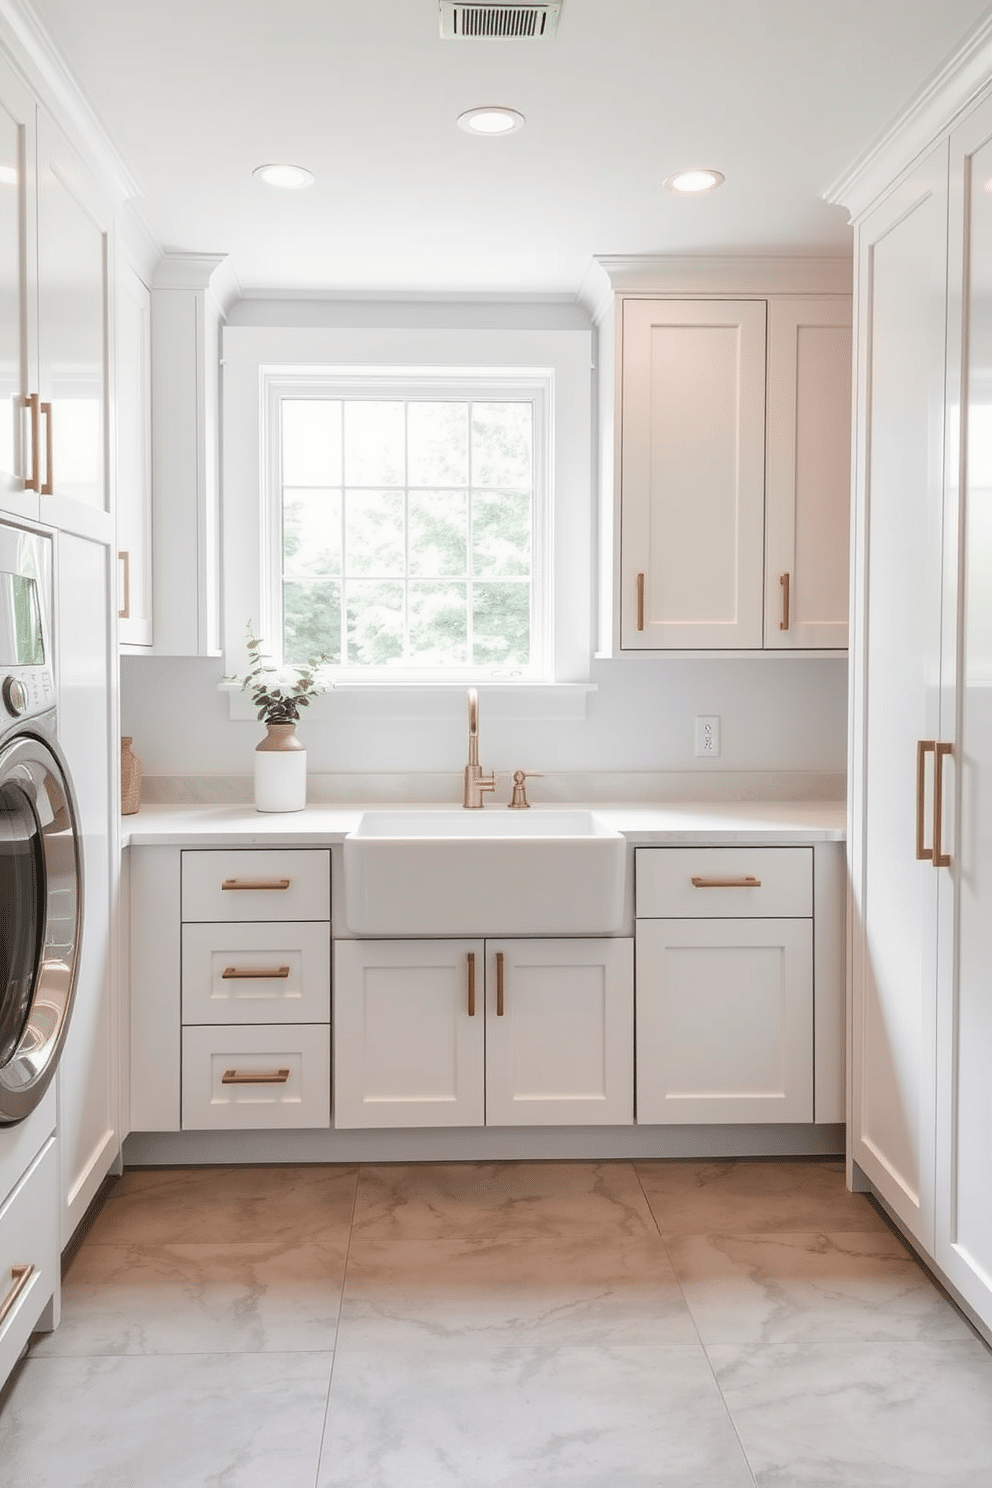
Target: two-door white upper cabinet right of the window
{"x":731,"y":465}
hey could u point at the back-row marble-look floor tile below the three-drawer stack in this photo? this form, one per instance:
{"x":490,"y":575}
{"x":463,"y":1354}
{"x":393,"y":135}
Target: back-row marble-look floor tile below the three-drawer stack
{"x":219,"y":1206}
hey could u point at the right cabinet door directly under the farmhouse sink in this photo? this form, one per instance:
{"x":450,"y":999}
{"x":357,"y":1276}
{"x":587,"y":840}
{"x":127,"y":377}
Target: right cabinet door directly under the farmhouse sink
{"x":560,"y":1033}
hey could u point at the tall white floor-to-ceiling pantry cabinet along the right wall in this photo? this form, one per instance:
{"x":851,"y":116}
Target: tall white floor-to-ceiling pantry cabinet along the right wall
{"x":921,"y":767}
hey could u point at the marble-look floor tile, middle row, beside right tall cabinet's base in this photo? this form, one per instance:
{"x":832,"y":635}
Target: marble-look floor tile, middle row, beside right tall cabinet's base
{"x":777,"y":1289}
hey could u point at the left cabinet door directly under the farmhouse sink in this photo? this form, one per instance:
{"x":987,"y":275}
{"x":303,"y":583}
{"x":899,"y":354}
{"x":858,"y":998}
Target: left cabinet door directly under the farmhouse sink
{"x":410,"y":1044}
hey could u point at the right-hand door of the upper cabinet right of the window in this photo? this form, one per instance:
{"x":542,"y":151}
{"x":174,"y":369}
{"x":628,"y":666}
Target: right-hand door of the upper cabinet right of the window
{"x":808,"y":474}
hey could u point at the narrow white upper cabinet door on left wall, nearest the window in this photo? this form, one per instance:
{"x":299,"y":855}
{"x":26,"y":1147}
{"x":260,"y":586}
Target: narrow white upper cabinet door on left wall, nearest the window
{"x":133,"y":385}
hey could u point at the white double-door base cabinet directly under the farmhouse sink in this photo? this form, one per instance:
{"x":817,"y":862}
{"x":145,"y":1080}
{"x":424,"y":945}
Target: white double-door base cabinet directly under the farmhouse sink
{"x":471,"y":1033}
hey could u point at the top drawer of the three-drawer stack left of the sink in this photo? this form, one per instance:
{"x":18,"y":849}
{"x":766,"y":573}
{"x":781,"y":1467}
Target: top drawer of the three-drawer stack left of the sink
{"x":257,"y":885}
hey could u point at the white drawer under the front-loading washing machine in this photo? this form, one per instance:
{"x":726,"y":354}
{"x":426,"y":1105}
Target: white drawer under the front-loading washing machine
{"x":29,"y":1239}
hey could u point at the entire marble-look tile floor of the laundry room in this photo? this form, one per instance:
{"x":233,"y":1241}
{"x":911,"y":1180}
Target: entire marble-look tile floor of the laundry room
{"x":578,"y":1325}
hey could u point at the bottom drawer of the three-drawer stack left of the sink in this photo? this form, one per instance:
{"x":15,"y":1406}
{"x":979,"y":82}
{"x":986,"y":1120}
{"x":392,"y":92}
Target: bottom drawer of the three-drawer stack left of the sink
{"x":276,"y":1077}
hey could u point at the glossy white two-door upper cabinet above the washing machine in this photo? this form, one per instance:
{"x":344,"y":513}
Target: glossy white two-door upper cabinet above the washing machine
{"x":54,"y":325}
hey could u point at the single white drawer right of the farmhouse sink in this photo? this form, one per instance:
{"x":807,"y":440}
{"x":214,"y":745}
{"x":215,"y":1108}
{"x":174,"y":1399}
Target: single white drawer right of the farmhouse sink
{"x":725,"y":883}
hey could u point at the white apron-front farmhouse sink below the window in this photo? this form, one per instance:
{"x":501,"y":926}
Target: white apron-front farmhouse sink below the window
{"x":484,"y":873}
